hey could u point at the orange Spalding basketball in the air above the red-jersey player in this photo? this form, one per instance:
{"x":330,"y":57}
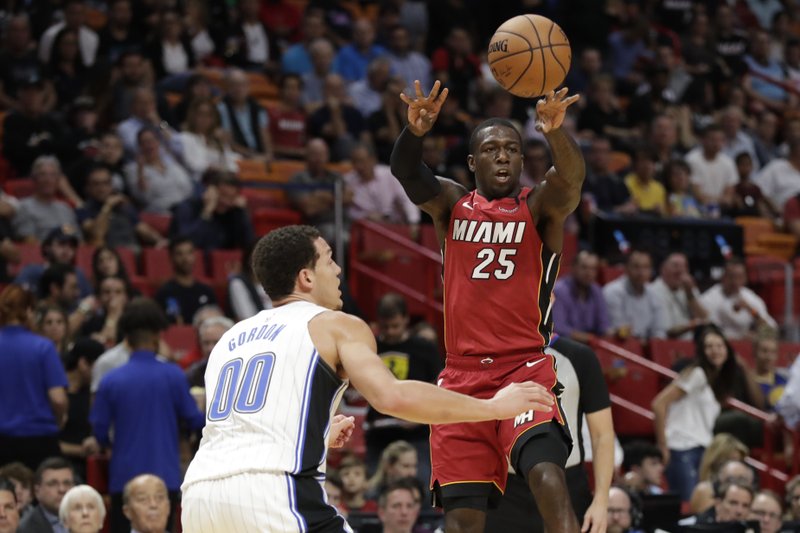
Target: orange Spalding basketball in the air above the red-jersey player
{"x":529,"y":55}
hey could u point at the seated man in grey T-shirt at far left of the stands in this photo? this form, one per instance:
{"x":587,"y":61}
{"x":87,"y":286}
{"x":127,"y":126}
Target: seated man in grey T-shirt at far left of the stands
{"x":39,"y":214}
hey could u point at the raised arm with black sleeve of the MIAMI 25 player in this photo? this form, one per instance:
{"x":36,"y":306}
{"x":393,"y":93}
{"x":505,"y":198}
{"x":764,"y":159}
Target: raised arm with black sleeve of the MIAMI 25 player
{"x":419,"y":182}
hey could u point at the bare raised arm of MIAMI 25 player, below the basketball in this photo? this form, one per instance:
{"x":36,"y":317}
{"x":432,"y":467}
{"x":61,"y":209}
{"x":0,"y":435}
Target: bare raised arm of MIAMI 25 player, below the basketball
{"x":560,"y":194}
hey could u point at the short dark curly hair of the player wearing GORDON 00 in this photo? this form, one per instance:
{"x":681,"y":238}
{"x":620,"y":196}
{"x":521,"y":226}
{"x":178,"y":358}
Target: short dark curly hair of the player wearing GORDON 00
{"x":280,"y":255}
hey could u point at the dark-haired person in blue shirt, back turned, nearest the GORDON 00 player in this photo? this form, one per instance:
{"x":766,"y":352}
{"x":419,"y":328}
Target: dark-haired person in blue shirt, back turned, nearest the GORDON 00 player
{"x":144,"y":401}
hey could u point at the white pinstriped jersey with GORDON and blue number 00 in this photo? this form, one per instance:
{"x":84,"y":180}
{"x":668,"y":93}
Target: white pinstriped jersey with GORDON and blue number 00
{"x":269,"y":399}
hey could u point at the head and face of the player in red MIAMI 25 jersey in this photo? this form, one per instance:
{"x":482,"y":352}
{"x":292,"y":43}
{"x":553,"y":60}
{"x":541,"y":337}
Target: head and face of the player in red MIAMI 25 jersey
{"x":497,"y":162}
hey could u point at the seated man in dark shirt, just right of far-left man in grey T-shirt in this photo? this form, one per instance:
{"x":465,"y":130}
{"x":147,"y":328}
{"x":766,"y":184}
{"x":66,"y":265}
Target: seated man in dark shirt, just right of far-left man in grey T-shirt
{"x":109,"y":219}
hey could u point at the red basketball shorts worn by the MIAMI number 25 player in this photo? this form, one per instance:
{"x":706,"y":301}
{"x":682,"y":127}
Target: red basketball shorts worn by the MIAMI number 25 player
{"x":471,"y":459}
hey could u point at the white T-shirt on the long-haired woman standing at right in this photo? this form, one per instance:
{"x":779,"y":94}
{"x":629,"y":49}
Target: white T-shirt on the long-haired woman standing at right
{"x":690,"y":420}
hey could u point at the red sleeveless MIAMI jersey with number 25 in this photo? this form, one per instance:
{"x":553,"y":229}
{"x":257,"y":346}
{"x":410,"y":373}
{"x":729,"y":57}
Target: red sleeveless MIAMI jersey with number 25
{"x":498,"y":279}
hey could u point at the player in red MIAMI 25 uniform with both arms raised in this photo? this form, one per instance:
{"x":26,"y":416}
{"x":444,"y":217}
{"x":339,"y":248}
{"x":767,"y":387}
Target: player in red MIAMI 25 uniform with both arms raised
{"x":501,"y":245}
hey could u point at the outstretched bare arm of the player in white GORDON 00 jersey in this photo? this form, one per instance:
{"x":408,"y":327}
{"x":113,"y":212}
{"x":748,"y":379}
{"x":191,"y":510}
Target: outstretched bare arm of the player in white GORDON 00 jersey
{"x":421,"y":402}
